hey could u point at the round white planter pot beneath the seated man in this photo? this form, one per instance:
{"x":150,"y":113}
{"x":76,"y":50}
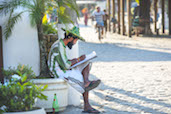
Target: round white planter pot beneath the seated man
{"x":55,"y":86}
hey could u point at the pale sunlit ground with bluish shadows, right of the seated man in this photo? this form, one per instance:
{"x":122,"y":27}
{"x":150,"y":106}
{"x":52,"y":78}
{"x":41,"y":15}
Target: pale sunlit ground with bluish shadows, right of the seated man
{"x":135,"y":74}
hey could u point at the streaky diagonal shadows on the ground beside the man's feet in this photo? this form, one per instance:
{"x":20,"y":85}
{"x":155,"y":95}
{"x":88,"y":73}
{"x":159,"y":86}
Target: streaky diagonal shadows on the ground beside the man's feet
{"x":111,"y":98}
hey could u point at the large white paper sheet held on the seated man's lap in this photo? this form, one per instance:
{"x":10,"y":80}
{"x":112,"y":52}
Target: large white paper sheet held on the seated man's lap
{"x":87,"y":58}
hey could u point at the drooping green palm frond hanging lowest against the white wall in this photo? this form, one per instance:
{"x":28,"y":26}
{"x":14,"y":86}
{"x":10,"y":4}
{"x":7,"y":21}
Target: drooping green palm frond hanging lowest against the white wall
{"x":11,"y":22}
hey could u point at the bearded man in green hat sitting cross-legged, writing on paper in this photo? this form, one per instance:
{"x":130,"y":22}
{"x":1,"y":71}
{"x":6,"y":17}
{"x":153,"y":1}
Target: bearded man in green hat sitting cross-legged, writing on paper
{"x":77,"y":77}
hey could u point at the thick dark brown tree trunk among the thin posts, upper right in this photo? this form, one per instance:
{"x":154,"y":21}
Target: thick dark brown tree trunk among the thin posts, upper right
{"x":145,"y":15}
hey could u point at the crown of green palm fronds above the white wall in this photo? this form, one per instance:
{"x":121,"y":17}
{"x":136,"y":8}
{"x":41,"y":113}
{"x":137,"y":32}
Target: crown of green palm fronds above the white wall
{"x":36,"y":10}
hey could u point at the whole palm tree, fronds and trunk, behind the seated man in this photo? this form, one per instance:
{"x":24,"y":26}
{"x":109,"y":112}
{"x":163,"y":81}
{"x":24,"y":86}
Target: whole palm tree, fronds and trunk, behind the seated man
{"x":36,"y":10}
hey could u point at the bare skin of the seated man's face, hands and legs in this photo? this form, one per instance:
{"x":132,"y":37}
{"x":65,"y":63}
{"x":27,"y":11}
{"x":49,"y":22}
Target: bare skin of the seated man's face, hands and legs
{"x":85,"y":74}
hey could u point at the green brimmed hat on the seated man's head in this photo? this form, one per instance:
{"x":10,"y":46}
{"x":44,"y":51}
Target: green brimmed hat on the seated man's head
{"x":75,"y":31}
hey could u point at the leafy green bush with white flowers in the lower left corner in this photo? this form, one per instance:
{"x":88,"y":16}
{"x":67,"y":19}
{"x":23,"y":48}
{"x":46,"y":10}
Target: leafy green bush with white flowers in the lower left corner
{"x":20,"y":95}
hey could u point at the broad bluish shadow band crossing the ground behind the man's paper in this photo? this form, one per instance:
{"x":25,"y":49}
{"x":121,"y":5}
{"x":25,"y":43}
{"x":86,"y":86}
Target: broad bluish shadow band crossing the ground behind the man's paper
{"x":117,"y":52}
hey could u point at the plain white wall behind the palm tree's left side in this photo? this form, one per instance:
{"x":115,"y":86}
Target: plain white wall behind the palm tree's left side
{"x":22,"y":46}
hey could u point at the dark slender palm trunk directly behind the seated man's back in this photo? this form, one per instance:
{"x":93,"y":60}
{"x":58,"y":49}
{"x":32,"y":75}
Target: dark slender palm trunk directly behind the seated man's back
{"x":43,"y":50}
